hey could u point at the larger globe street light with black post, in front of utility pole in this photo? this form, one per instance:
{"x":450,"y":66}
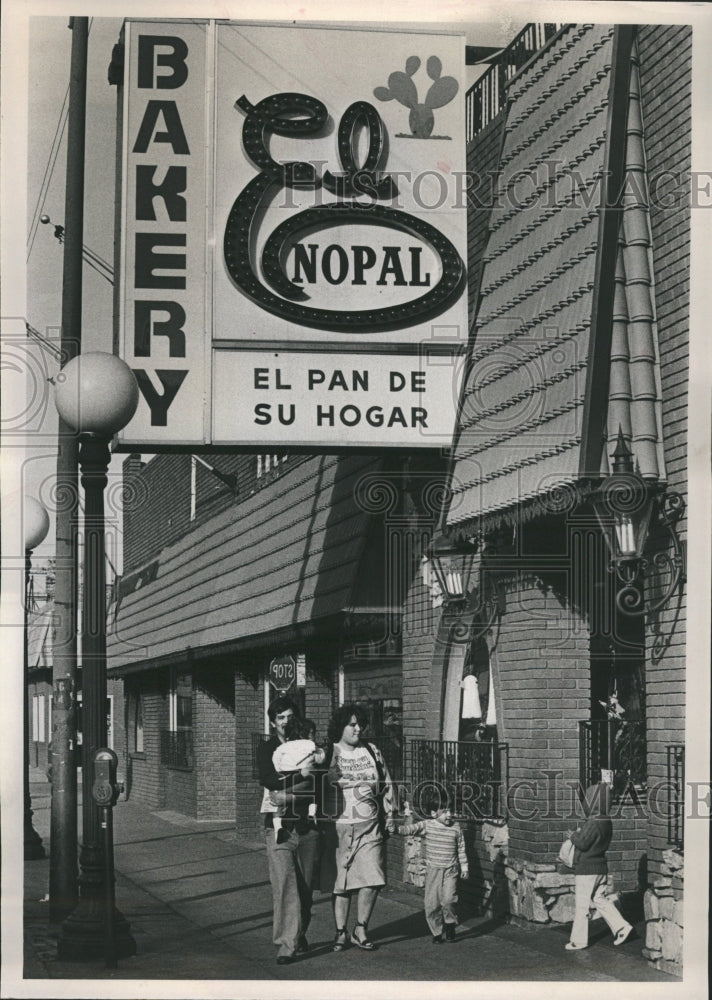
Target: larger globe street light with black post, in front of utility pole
{"x":96,"y":395}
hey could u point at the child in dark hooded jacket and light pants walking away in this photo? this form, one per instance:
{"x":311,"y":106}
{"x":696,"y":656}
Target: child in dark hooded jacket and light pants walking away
{"x":591,"y":841}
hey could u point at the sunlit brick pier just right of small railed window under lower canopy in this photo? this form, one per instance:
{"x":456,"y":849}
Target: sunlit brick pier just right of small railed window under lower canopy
{"x":214,"y":741}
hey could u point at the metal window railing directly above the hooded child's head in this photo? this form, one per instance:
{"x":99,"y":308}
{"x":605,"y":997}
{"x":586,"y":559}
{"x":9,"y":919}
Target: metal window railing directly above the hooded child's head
{"x":617,"y":746}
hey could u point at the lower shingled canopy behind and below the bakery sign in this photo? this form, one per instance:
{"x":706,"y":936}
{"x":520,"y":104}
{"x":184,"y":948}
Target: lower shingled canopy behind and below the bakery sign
{"x":277,"y":562}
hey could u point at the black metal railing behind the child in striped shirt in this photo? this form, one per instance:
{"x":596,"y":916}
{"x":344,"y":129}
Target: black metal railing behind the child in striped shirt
{"x":474,"y":774}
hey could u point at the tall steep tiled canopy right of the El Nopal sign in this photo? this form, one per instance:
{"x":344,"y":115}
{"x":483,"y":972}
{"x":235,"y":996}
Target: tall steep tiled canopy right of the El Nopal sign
{"x":564,"y":344}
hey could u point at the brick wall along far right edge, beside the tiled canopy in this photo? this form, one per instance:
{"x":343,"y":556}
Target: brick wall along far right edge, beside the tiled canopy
{"x":665,"y":54}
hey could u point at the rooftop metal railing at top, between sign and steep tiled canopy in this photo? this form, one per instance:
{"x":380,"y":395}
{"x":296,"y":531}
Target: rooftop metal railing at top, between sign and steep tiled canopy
{"x":488,"y":95}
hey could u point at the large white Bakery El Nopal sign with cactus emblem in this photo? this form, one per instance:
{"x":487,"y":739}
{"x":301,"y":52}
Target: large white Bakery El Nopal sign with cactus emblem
{"x":293,"y":235}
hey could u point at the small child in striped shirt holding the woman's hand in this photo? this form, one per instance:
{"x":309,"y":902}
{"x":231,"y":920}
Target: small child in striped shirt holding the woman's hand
{"x":444,"y":857}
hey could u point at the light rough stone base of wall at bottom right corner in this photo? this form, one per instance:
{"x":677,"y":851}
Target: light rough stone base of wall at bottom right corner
{"x":662,"y":904}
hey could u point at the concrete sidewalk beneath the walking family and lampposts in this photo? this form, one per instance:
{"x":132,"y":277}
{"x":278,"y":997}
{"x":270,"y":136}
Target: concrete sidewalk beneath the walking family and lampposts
{"x":199,"y":906}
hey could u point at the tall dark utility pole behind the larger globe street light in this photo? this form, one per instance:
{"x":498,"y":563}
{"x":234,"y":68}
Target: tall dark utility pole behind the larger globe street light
{"x":63,"y":874}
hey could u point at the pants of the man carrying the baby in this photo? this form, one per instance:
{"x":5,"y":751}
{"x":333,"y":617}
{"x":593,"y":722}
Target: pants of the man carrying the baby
{"x":291,"y":871}
